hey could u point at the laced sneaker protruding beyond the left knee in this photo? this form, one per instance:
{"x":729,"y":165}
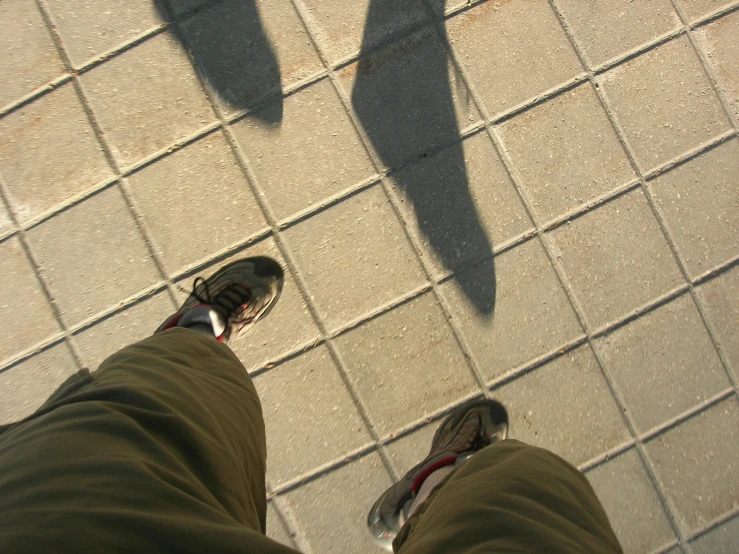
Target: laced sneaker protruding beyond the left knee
{"x":231,"y":300}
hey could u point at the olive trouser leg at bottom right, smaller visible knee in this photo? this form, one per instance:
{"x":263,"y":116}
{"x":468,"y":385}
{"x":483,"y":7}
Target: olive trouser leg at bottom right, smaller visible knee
{"x":510,"y":497}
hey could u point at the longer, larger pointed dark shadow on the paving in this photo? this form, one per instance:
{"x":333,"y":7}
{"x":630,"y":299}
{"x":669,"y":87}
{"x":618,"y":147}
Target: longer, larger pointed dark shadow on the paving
{"x":403,"y":98}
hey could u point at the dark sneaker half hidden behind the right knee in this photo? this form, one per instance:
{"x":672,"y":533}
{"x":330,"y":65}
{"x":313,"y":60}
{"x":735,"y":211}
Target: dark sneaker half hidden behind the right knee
{"x":468,"y":429}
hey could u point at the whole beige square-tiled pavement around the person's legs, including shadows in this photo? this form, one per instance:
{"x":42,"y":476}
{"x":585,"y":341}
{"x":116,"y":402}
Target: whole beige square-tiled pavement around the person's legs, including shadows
{"x":536,"y":201}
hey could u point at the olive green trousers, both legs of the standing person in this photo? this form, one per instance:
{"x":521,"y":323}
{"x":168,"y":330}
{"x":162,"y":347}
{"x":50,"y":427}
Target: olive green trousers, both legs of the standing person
{"x":163,"y":450}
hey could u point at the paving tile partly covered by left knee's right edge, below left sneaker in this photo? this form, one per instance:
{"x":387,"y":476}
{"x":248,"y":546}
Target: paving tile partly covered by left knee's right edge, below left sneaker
{"x":309,"y":415}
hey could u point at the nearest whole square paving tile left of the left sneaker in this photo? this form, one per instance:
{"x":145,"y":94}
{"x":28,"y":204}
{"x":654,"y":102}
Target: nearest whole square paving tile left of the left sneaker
{"x":101,"y":260}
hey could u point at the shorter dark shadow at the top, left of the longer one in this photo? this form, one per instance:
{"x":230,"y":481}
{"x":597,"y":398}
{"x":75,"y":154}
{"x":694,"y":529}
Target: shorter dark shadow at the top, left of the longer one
{"x":232,"y":52}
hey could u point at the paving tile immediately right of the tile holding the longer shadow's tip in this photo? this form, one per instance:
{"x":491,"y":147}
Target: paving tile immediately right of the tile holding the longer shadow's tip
{"x":616,"y":258}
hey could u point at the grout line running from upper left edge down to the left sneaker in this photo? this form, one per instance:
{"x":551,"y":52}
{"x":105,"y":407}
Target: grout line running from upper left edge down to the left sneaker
{"x":107,"y":151}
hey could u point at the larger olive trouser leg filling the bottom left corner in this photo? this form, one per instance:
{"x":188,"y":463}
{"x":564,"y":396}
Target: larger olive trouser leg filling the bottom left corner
{"x":161,"y":450}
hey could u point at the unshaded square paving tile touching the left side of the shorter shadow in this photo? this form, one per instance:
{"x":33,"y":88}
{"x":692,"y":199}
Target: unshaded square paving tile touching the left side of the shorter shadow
{"x":147,"y":98}
